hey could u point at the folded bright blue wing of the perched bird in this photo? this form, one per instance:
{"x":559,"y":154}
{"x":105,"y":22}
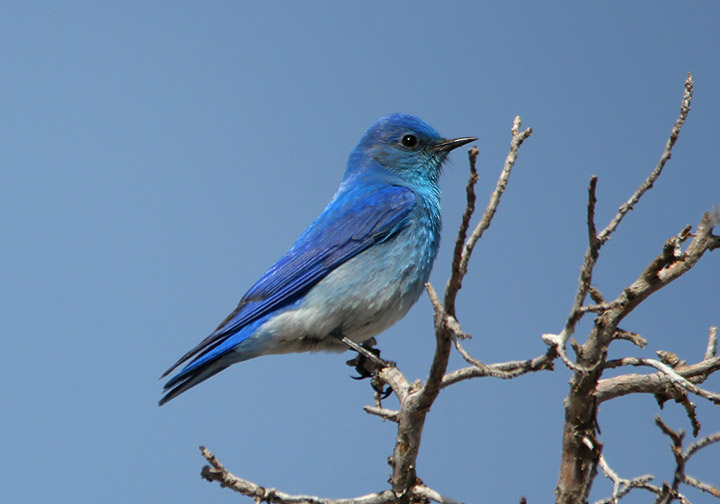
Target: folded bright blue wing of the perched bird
{"x":353,"y":222}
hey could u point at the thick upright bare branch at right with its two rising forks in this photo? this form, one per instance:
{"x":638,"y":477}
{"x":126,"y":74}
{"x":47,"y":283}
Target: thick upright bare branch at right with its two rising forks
{"x":579,"y":463}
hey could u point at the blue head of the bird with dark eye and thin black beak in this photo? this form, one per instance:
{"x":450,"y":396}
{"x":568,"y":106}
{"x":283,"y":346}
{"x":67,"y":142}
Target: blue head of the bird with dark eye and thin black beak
{"x":402,"y":146}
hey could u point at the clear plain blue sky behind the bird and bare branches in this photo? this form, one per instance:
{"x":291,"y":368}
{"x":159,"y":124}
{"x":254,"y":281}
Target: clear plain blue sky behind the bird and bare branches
{"x":157,"y":157}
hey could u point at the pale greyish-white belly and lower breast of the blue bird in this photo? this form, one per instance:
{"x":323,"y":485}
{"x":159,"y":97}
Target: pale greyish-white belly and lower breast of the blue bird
{"x":359,"y":299}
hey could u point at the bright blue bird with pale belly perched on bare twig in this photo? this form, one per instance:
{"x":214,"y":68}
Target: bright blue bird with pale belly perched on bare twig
{"x":355,"y":271}
